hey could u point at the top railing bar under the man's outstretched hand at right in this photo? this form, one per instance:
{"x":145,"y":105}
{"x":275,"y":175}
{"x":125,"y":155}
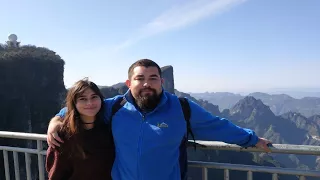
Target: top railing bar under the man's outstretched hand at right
{"x":275,"y":148}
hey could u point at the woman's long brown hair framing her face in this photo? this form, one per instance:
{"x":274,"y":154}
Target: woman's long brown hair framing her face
{"x":72,"y":123}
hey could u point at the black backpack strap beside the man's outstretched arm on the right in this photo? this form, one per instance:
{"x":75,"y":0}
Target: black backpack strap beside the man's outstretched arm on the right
{"x":187,"y":114}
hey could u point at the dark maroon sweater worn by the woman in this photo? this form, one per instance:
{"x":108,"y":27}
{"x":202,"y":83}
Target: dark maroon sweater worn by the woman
{"x":97,"y":143}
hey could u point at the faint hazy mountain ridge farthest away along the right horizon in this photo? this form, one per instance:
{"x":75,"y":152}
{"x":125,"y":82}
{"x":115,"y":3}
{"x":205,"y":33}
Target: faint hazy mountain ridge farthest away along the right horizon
{"x":278,"y":103}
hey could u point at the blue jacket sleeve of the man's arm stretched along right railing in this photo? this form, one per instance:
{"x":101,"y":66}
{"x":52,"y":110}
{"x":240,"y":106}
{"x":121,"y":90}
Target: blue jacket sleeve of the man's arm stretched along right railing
{"x":207,"y":127}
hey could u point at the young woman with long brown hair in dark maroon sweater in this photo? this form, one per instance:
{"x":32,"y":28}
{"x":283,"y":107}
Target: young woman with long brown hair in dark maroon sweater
{"x":88,"y":148}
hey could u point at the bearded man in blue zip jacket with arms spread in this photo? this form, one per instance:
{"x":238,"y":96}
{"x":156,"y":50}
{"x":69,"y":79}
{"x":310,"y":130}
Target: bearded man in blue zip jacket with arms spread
{"x":148,"y":129}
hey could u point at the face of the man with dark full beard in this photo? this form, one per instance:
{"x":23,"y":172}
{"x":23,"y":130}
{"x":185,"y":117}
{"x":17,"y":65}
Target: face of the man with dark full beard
{"x":145,"y":86}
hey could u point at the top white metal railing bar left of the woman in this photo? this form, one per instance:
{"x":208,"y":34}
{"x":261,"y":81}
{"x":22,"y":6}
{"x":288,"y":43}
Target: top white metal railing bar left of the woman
{"x":21,"y":135}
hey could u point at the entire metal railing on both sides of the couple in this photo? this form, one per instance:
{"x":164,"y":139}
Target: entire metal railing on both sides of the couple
{"x":209,"y":145}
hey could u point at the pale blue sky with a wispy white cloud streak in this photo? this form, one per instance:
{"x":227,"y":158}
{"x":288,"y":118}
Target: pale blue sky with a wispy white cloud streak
{"x":213,"y":45}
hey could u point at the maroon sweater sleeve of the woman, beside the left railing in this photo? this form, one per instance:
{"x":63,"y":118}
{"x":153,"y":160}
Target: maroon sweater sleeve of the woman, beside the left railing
{"x":57,"y":165}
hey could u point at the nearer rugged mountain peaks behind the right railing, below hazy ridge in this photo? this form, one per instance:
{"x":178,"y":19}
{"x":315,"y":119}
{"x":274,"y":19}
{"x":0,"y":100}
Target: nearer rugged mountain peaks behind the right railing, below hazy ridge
{"x":289,"y":128}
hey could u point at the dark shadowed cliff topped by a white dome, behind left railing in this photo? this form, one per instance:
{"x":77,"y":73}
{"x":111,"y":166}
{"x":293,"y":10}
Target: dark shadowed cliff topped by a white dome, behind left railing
{"x":31,"y":92}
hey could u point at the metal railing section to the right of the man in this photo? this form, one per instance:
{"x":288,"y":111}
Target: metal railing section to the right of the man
{"x":275,"y":171}
